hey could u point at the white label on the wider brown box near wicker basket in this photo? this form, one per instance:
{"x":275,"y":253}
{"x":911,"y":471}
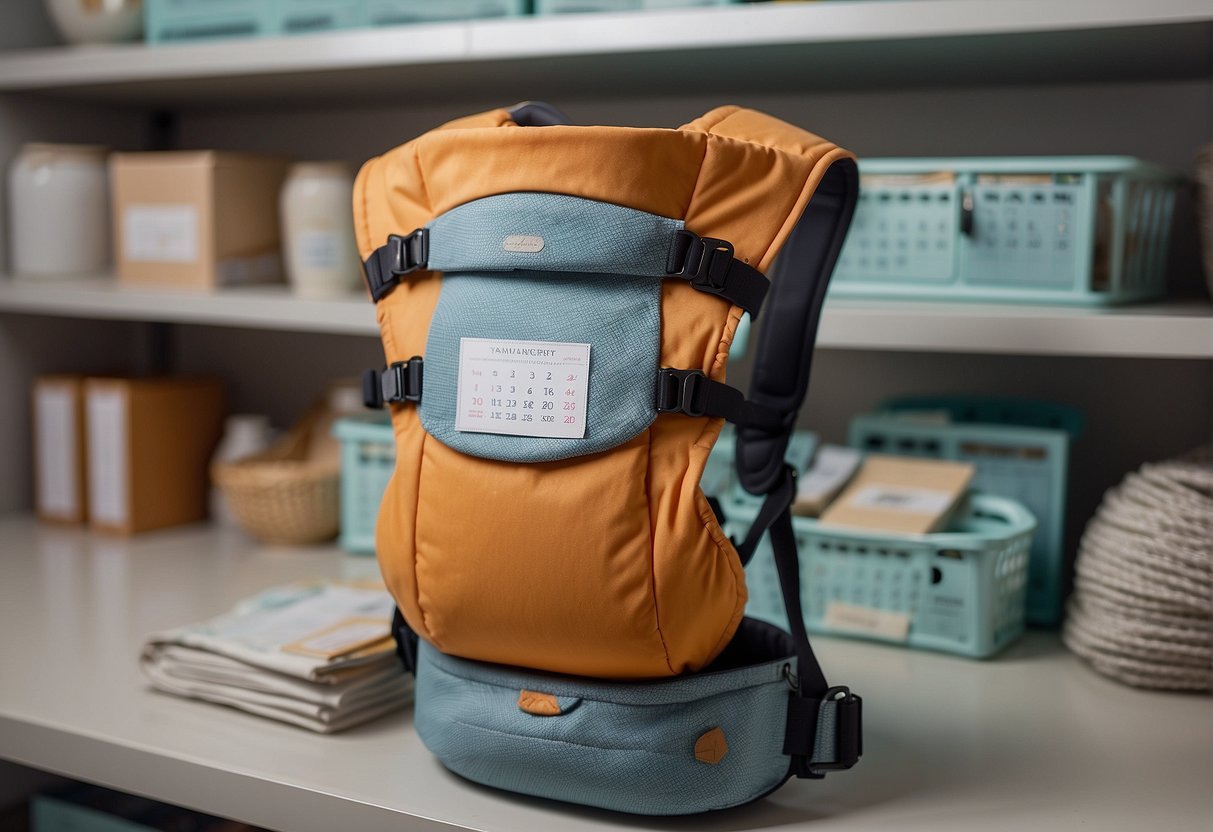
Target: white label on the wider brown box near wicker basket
{"x":109,"y":455}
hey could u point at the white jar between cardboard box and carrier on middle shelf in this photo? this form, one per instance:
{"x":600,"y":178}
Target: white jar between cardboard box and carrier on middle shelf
{"x":318,"y":230}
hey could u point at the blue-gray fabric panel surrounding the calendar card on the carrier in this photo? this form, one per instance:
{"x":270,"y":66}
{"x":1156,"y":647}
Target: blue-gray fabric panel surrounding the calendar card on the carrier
{"x":619,"y":317}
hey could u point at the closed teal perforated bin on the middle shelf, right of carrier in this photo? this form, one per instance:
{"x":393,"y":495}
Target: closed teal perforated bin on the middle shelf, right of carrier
{"x":1068,"y":230}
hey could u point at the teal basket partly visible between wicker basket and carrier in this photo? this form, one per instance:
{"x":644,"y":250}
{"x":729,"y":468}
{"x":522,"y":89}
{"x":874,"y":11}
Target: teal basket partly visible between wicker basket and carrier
{"x":368,"y":459}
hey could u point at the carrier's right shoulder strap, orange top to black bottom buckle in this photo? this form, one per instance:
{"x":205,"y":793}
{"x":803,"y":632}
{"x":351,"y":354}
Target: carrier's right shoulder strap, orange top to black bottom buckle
{"x":824,"y":723}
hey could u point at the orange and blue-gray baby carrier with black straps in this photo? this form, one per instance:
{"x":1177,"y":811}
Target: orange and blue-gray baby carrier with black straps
{"x":557,"y":305}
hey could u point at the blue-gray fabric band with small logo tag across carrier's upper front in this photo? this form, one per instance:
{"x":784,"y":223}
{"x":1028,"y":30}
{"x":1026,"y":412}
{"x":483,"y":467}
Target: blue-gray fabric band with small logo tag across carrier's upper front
{"x":578,"y":236}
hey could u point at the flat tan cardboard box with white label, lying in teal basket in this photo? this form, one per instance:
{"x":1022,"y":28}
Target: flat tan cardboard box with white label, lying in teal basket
{"x":899,"y":494}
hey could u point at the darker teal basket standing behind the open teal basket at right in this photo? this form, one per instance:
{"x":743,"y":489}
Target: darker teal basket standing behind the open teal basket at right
{"x":1020,"y":449}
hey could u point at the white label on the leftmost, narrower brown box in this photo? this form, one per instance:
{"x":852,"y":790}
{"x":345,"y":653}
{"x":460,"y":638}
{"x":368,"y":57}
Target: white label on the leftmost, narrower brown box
{"x":56,"y":454}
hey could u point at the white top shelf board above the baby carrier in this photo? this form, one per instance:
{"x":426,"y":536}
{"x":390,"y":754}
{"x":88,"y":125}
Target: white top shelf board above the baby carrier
{"x":772,"y":47}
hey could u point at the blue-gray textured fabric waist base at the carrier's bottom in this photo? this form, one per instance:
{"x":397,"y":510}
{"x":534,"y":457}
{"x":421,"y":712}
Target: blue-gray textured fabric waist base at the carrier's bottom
{"x":629,"y":748}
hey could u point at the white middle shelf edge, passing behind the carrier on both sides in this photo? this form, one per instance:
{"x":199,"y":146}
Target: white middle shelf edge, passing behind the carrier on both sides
{"x":1155,"y":330}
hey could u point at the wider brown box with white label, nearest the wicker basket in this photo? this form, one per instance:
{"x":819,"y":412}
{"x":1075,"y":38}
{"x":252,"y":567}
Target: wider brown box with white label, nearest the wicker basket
{"x":150,"y":442}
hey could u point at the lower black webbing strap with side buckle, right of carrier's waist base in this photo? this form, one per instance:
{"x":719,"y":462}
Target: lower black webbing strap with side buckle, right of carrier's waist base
{"x":824,"y":730}
